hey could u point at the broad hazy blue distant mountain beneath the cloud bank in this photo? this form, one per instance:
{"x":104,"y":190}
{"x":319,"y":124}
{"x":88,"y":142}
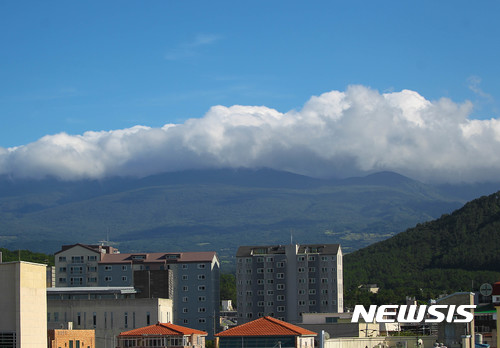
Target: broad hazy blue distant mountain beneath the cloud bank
{"x":215,"y":210}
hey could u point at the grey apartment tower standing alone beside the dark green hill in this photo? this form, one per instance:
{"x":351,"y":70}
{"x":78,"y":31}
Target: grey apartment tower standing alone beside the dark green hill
{"x":285,"y":281}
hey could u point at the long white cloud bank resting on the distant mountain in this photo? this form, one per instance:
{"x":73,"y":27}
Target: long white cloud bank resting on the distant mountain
{"x":336,"y":134}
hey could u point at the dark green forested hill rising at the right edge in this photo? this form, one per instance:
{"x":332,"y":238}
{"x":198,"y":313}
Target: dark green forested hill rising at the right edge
{"x":457,"y":252}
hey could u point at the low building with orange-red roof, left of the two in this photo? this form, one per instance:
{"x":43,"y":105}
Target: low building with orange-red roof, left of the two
{"x":162,"y":335}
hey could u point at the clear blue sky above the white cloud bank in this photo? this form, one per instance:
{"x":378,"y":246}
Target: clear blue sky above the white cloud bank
{"x":68,"y":66}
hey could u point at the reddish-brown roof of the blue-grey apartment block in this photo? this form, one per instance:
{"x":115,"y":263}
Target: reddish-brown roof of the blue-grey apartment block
{"x":200,"y":256}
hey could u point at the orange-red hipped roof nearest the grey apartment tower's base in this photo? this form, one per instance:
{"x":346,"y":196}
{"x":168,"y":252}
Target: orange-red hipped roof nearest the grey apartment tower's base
{"x":266,"y":326}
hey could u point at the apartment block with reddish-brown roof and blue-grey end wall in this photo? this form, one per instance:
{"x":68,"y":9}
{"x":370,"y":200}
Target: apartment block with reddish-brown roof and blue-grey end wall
{"x":192,"y":277}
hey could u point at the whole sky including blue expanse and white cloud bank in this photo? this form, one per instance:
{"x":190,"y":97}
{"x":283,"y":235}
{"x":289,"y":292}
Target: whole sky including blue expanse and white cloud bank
{"x":322,"y":88}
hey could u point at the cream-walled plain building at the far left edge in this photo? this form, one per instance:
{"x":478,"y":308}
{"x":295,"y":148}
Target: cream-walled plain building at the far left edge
{"x":23,"y":305}
